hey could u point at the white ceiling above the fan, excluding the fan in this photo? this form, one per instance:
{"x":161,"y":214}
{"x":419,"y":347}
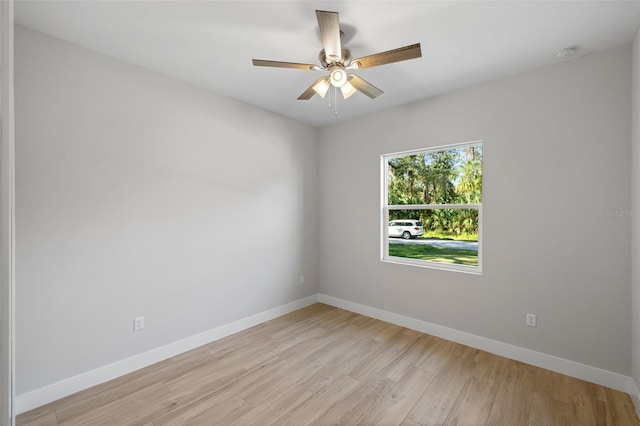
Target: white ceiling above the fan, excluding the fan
{"x":211,"y":43}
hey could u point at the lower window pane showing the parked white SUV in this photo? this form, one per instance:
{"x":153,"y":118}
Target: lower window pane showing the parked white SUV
{"x":446,"y":235}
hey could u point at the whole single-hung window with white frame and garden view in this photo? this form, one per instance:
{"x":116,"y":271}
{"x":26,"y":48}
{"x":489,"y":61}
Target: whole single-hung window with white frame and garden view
{"x":432,"y":207}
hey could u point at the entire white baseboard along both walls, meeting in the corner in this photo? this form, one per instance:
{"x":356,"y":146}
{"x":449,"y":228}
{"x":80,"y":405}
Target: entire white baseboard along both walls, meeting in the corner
{"x":55,"y":391}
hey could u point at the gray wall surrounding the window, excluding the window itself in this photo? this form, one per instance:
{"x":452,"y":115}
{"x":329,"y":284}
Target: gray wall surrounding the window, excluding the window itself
{"x":556,"y":148}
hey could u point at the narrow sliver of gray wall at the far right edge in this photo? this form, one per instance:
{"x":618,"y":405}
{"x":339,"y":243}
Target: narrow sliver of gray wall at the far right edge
{"x":635,"y":227}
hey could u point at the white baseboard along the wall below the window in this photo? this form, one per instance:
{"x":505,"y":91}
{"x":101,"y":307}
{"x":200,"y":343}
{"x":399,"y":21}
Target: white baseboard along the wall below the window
{"x":560,"y":365}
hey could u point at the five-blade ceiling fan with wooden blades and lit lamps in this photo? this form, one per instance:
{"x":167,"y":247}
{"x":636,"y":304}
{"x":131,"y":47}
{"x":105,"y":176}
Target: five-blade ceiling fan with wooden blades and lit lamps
{"x":338,"y":60}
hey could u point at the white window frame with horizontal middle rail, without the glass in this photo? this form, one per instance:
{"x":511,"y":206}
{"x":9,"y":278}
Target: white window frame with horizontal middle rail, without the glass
{"x":385,"y":208}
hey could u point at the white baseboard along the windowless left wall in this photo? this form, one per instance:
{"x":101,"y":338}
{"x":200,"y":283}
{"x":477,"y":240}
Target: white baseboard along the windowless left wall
{"x":30,"y":400}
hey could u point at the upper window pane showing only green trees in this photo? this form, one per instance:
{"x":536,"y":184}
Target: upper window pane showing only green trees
{"x":452,"y":176}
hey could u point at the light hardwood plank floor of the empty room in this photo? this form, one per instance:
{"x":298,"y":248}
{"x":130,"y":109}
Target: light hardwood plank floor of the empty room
{"x":326,"y":366}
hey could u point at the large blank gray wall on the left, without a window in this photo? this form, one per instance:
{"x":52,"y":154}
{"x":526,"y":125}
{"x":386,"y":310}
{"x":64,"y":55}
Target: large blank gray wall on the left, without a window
{"x":141,"y":195}
